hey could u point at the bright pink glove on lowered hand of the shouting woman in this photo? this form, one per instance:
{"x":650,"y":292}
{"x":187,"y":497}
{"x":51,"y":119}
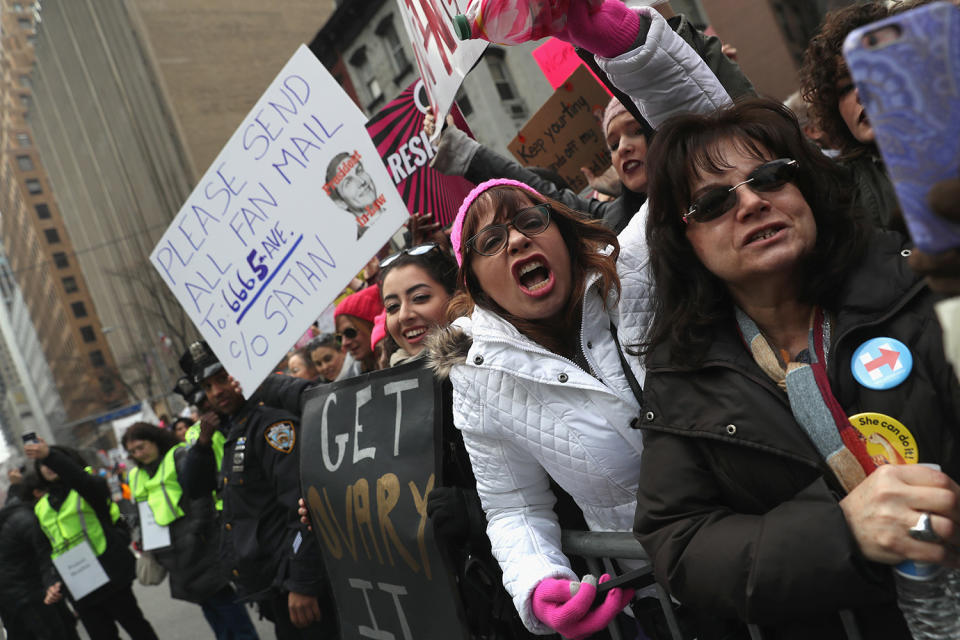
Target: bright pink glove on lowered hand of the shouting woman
{"x":564,"y":605}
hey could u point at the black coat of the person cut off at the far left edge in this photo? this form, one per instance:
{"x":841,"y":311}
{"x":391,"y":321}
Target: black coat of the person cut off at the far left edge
{"x":23,"y":557}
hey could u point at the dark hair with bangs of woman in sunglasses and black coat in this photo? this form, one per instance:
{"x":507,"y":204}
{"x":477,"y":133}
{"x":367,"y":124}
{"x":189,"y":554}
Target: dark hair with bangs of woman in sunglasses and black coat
{"x":690,"y":302}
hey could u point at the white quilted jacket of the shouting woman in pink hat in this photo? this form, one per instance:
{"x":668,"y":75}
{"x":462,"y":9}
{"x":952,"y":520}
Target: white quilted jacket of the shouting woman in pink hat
{"x":527,"y":413}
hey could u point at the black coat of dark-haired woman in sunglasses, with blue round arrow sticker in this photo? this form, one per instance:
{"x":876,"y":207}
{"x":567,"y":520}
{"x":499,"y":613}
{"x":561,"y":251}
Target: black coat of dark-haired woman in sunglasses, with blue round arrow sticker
{"x":736,"y":507}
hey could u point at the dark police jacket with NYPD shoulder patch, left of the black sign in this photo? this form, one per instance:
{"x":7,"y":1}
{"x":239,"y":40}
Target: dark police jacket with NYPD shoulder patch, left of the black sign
{"x":263,"y":547}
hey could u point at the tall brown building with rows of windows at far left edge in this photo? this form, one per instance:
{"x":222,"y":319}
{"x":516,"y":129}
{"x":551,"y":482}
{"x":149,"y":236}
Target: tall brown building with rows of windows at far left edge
{"x":42,"y":252}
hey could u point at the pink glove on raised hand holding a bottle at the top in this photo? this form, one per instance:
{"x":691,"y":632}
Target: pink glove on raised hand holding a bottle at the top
{"x":606,"y":31}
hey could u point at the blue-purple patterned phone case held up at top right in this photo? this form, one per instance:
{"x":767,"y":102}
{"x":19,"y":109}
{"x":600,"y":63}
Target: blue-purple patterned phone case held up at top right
{"x":910,"y":89}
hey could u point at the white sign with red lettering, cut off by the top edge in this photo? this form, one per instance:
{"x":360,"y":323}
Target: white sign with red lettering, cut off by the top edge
{"x":442,"y":58}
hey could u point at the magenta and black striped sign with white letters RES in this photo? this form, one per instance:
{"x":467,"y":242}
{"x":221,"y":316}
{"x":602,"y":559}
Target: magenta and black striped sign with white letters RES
{"x":397,"y":130}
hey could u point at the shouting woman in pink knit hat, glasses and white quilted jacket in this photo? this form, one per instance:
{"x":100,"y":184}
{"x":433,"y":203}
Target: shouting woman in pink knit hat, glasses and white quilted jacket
{"x":541,"y":390}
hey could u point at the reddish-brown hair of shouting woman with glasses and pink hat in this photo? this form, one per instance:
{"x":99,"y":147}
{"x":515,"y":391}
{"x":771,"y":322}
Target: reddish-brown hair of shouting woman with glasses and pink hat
{"x":584,"y":239}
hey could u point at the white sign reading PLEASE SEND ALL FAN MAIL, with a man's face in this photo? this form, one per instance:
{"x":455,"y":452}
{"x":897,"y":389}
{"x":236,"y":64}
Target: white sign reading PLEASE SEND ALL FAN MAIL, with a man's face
{"x":293,"y":207}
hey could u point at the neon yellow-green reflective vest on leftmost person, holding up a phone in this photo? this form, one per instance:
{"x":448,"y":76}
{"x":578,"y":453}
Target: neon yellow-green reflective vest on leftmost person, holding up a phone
{"x":74,"y":522}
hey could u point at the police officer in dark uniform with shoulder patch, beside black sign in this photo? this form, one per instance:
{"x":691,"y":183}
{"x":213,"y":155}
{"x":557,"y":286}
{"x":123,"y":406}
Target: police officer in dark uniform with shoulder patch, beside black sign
{"x":264,"y":547}
